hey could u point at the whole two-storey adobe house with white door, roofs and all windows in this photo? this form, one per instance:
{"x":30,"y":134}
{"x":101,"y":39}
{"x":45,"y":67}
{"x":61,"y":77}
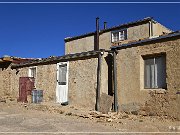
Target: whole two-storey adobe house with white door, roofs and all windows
{"x":131,"y":70}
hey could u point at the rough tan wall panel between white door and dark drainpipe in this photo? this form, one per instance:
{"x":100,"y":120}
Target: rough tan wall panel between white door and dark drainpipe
{"x":83,"y":82}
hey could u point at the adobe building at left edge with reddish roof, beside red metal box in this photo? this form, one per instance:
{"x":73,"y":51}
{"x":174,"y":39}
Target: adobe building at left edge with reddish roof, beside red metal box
{"x":9,"y":79}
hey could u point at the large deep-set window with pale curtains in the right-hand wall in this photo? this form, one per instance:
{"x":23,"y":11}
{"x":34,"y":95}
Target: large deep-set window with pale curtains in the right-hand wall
{"x":155,"y":72}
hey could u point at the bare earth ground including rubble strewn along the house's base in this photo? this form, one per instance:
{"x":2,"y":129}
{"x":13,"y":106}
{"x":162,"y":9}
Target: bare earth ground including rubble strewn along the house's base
{"x":50,"y":118}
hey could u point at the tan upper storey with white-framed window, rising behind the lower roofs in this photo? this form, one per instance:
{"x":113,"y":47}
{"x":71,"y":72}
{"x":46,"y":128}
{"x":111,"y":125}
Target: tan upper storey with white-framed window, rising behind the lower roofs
{"x":123,"y":33}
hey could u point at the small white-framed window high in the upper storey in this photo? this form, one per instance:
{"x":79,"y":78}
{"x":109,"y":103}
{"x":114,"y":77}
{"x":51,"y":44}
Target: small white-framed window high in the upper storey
{"x":119,"y":35}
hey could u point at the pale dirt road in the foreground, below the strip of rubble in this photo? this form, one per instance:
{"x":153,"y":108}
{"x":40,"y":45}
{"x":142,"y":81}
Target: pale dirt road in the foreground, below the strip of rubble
{"x":16,"y":119}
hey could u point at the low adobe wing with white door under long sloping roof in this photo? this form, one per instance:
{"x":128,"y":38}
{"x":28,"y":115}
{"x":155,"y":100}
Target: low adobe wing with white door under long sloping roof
{"x":69,"y":79}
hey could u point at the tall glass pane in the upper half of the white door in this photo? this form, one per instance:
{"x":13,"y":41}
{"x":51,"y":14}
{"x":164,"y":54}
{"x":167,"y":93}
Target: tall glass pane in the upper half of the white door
{"x":62,"y":74}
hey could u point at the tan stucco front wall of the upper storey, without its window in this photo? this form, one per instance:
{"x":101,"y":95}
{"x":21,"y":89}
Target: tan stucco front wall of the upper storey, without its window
{"x":87,"y":43}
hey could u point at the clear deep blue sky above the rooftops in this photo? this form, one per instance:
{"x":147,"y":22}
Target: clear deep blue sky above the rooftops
{"x":38,"y":30}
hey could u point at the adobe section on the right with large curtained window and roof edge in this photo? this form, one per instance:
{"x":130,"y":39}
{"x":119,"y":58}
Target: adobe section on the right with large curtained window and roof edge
{"x":148,"y":76}
